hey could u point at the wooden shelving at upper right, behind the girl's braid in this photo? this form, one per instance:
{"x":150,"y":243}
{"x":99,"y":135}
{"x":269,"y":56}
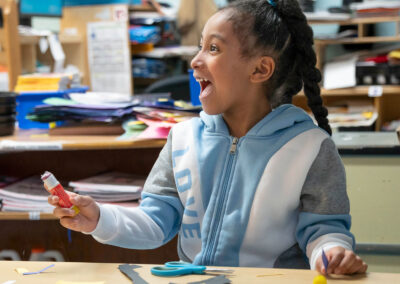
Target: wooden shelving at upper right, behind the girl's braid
{"x":387,"y":104}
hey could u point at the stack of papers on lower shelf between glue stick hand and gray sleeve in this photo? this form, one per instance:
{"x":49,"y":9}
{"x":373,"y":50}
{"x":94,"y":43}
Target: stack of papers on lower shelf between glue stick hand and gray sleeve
{"x":111,"y":187}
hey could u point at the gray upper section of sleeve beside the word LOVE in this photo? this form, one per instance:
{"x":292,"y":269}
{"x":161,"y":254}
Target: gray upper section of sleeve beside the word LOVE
{"x":161,"y":178}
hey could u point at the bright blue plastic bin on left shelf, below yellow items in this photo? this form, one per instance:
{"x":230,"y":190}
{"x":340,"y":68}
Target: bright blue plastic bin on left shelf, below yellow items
{"x":26,"y":101}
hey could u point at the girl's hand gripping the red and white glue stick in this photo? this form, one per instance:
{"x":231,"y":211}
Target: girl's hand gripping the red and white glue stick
{"x":85,"y":221}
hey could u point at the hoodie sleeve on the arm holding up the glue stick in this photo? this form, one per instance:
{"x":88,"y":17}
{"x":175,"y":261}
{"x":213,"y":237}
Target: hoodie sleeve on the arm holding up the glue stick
{"x":155,"y":221}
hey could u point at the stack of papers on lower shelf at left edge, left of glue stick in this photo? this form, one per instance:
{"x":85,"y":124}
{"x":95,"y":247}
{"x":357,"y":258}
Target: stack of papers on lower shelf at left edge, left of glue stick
{"x":25,"y":195}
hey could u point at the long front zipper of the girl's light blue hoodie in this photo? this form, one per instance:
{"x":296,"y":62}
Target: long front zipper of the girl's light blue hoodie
{"x":221,"y":201}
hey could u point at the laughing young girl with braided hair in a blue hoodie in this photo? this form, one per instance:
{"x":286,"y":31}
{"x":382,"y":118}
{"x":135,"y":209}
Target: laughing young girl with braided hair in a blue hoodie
{"x":253,"y":181}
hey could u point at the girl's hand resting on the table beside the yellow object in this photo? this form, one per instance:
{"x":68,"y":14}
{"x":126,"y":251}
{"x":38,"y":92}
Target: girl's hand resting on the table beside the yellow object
{"x":341,"y":261}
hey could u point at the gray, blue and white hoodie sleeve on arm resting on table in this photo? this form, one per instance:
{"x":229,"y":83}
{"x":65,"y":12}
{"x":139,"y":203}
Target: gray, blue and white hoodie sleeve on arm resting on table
{"x":324,"y":220}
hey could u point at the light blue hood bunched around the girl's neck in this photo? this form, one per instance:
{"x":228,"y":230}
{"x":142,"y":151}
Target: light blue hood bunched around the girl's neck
{"x":281,"y":118}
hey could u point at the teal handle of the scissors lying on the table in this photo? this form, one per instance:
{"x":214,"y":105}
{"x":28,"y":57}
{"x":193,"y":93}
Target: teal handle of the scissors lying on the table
{"x":177,"y":268}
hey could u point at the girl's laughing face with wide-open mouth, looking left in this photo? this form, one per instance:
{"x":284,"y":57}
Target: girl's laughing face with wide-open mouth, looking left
{"x":223,"y":74}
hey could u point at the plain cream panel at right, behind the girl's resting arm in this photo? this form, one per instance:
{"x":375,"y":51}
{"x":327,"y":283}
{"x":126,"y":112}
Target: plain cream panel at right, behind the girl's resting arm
{"x":373,"y":188}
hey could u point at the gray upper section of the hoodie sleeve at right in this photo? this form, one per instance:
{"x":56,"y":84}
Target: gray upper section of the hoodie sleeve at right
{"x":324,"y":190}
